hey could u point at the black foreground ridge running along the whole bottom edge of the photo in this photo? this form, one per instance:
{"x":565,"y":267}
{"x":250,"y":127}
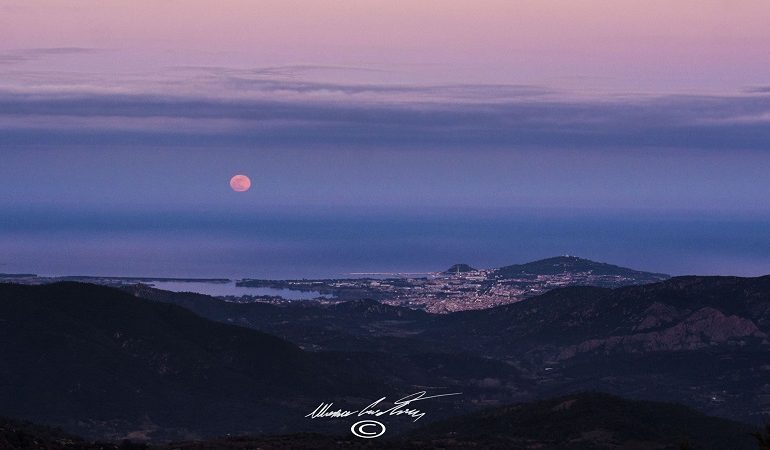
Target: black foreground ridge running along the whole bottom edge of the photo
{"x":577,"y":422}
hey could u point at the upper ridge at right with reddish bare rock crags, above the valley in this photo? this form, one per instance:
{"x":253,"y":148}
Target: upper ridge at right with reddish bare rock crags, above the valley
{"x":683,"y":313}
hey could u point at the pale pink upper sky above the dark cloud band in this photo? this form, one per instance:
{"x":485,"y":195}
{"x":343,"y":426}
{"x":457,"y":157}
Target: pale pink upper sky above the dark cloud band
{"x":620,"y":45}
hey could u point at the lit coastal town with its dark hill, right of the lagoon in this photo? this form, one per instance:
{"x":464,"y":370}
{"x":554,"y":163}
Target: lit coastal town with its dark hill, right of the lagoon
{"x":462,"y":287}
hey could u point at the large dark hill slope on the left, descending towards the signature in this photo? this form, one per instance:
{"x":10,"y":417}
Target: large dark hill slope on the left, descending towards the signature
{"x":102,"y":363}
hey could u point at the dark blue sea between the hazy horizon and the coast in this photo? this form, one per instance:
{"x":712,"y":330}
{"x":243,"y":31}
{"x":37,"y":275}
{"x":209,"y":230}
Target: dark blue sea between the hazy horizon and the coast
{"x":281,"y":245}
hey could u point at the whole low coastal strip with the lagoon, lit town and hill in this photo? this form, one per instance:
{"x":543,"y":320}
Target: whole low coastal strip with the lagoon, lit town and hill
{"x":459,"y":288}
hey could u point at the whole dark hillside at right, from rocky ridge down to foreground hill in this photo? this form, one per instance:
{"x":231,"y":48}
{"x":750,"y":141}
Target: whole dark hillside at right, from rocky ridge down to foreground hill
{"x":702,"y":341}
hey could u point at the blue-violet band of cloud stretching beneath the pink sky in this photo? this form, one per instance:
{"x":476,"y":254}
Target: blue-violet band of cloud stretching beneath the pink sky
{"x":272,"y":111}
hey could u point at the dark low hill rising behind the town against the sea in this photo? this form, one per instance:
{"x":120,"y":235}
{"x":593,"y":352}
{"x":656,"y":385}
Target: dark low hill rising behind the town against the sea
{"x":573,"y":264}
